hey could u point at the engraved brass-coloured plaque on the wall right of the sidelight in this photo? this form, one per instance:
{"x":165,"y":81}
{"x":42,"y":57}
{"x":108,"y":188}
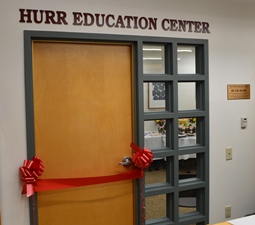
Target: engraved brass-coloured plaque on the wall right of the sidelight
{"x":238,"y":91}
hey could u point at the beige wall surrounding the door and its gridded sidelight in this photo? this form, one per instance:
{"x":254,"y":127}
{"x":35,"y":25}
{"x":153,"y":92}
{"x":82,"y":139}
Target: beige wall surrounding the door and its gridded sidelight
{"x":231,"y":60}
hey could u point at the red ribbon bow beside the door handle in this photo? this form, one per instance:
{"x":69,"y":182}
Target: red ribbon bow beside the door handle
{"x":142,"y":158}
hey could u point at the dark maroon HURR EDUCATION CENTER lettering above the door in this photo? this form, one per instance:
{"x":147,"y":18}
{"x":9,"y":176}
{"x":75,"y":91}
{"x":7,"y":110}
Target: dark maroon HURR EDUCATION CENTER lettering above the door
{"x":110,"y":20}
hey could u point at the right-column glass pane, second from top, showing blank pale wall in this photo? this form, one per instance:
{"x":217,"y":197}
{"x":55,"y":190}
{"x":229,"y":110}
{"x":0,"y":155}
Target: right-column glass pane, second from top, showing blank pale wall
{"x":187,"y":95}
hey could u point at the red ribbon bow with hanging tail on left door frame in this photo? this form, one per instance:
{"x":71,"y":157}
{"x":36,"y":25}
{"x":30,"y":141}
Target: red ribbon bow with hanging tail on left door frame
{"x":30,"y":171}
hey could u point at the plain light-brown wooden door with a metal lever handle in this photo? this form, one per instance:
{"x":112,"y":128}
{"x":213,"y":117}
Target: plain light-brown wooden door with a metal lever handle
{"x":83,"y":121}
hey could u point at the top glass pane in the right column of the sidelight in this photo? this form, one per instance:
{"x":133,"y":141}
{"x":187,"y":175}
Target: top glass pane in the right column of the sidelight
{"x":186,"y":58}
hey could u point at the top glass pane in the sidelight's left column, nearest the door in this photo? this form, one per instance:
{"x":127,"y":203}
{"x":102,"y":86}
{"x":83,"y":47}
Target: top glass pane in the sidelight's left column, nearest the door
{"x":153,"y":59}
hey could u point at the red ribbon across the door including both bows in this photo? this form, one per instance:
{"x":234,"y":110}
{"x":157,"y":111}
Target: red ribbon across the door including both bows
{"x":31,"y":170}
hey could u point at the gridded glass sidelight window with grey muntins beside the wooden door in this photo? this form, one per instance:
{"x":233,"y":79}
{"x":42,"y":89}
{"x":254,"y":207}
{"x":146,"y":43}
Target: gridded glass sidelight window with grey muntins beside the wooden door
{"x":175,"y":84}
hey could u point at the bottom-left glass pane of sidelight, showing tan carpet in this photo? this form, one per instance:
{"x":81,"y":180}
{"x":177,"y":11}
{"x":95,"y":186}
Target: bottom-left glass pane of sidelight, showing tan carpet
{"x":155,"y":207}
